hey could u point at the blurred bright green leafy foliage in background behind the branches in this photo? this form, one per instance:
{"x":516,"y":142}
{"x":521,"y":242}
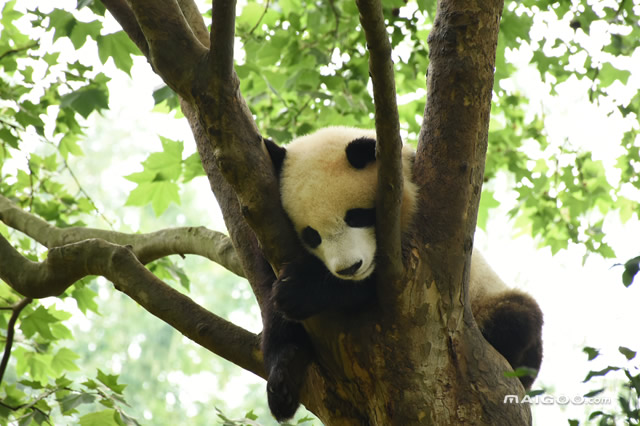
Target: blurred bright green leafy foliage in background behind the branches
{"x":302,"y":65}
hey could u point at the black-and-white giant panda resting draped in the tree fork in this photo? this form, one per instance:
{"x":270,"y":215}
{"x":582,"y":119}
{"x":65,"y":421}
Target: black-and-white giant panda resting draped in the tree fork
{"x":328,"y":183}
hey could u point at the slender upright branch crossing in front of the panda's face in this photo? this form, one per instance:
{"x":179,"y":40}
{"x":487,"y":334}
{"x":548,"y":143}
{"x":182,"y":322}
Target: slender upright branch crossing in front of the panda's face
{"x":389,"y":143}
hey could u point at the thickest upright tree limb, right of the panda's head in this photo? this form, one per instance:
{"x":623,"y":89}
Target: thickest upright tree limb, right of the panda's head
{"x":452,"y":146}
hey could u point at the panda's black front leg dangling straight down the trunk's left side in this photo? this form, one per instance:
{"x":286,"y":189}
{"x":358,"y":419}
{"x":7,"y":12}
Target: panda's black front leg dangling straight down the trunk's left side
{"x":287,"y":353}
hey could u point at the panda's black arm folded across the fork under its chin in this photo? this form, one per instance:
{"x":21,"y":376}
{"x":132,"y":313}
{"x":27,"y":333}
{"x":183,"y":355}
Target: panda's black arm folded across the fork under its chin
{"x":306,"y":288}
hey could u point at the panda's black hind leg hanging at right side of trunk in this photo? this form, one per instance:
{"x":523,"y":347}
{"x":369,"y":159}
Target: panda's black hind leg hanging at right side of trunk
{"x":512,"y":322}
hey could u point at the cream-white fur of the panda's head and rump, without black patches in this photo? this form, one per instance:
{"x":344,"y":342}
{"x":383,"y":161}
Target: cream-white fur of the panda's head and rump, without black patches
{"x":318,"y":186}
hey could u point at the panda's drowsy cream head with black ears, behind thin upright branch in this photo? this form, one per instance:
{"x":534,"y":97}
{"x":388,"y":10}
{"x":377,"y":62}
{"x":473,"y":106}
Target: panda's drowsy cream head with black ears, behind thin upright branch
{"x":328,"y":183}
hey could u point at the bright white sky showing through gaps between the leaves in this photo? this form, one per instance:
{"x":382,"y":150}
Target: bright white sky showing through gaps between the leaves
{"x":583,"y":304}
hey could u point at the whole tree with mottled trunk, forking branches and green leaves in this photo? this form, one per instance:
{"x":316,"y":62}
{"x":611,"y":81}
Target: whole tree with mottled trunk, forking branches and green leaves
{"x":353,"y":380}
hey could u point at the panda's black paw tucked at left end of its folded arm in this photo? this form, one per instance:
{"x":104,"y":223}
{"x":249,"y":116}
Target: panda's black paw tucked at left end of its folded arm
{"x":292,"y":299}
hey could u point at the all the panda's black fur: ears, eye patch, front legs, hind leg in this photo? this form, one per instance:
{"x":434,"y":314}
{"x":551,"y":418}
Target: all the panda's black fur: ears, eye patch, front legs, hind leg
{"x":305,"y":288}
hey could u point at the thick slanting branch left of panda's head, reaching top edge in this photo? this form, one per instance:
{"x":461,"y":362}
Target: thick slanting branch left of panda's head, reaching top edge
{"x":237,"y":147}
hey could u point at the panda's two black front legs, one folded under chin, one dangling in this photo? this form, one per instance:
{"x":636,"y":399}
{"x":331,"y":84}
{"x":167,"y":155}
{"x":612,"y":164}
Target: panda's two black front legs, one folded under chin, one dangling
{"x":305,"y":288}
